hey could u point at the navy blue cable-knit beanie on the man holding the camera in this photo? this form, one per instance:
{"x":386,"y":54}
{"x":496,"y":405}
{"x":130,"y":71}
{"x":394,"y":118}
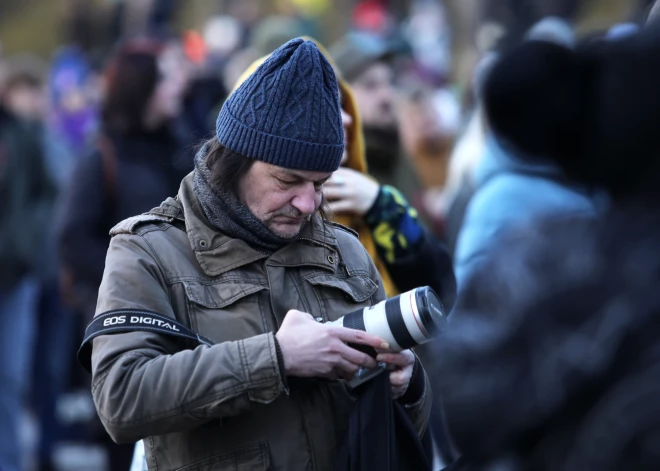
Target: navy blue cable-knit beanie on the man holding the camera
{"x":287,"y":112}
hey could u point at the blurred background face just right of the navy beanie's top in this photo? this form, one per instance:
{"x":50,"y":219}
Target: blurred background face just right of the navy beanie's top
{"x":374,"y":93}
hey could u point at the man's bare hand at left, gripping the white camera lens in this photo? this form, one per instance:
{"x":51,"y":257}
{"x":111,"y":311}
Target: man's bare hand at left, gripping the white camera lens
{"x":311,"y":349}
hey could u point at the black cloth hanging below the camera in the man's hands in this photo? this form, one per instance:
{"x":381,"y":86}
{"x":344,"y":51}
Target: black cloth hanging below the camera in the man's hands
{"x":380,"y":436}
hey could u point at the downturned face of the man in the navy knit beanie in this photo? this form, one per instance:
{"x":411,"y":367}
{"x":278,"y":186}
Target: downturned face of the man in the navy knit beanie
{"x":283,"y":199}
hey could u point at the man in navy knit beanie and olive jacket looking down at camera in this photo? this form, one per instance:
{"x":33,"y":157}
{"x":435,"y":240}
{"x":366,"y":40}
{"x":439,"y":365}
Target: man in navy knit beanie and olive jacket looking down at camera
{"x":211,"y":339}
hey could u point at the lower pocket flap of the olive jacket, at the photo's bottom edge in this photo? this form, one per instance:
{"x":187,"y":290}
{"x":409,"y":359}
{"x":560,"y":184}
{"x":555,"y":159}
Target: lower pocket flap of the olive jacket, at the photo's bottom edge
{"x":250,"y":458}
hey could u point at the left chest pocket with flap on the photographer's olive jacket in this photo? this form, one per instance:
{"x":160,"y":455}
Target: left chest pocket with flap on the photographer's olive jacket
{"x":227,"y":311}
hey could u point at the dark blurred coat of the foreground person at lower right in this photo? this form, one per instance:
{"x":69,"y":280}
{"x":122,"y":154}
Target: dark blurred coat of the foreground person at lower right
{"x":551,"y":359}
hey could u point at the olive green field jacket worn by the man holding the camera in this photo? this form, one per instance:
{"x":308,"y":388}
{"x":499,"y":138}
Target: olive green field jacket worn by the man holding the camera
{"x":225,"y":407}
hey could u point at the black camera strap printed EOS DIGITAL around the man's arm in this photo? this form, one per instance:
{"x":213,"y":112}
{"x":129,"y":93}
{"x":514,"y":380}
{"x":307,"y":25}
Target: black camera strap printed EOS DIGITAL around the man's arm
{"x":133,"y":320}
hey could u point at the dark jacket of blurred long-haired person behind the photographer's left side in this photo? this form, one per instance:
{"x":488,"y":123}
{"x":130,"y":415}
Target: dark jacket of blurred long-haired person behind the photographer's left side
{"x":149,"y":169}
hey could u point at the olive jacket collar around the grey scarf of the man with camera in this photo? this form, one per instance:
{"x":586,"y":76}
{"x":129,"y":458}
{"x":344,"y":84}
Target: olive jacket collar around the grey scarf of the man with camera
{"x":218,"y":253}
